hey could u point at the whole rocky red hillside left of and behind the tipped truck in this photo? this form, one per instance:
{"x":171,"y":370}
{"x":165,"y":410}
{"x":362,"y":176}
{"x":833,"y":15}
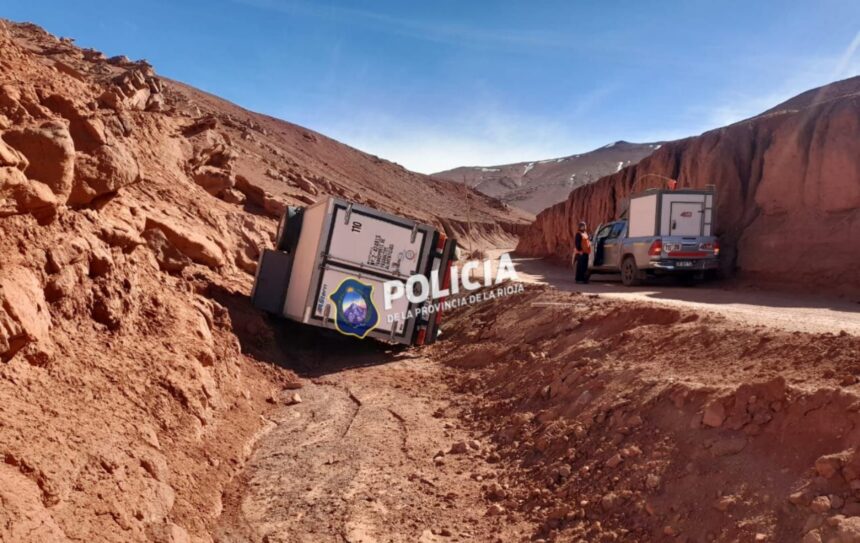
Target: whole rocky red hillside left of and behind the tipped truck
{"x":134,"y":375}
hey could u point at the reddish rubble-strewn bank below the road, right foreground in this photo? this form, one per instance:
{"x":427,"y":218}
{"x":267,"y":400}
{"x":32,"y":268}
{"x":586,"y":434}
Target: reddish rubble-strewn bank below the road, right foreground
{"x":636,"y":422}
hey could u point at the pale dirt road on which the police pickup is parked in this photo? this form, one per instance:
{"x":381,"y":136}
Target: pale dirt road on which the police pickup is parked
{"x":786,"y":311}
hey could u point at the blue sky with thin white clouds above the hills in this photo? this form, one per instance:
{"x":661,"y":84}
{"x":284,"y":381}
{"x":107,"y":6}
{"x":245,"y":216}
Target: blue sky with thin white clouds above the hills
{"x":433,"y":85}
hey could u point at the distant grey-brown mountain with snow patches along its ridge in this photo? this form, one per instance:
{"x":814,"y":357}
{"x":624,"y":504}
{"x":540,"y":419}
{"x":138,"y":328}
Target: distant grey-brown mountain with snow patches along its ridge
{"x":534,"y":186}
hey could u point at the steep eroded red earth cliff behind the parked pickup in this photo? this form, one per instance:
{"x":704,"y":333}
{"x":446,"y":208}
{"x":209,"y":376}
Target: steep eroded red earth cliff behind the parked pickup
{"x":788,"y":191}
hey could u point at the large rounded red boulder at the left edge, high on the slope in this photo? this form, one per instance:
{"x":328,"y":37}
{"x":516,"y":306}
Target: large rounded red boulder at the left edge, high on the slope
{"x":50,"y":151}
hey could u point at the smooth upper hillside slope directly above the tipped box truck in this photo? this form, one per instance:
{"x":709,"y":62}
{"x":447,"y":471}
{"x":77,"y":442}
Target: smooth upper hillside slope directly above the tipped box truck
{"x":298,"y":164}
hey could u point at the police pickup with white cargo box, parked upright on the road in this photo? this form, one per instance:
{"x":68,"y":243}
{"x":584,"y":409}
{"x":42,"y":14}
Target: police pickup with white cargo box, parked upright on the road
{"x":664,"y":232}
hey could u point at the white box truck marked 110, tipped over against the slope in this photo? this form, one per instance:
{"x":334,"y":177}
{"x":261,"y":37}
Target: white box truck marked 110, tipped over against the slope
{"x":331,"y":260}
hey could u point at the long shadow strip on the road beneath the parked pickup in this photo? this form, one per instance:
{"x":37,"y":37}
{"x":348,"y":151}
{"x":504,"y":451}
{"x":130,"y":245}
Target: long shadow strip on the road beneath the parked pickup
{"x":667,"y":288}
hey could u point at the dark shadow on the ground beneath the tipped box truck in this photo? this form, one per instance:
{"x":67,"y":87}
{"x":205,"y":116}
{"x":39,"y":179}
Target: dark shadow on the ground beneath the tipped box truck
{"x":308,"y":351}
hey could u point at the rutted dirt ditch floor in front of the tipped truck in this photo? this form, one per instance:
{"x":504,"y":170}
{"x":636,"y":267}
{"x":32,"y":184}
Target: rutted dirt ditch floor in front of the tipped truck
{"x":366,"y":457}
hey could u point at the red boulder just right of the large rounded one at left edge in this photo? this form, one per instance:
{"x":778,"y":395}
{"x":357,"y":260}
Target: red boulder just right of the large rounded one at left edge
{"x":105,"y":171}
